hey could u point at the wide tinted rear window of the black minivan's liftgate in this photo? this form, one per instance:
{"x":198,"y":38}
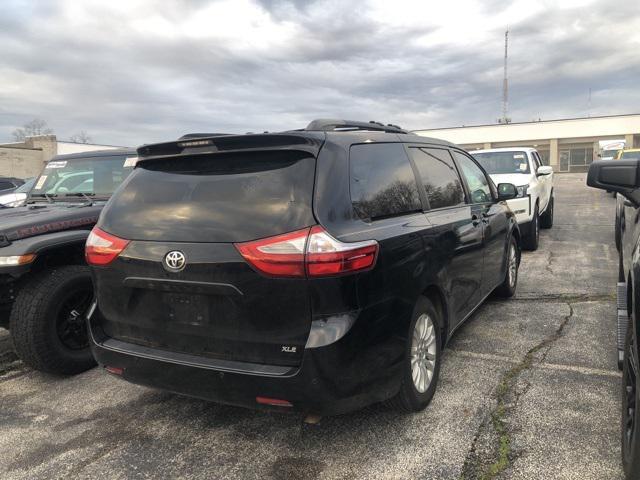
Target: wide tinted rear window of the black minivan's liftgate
{"x":223,"y":197}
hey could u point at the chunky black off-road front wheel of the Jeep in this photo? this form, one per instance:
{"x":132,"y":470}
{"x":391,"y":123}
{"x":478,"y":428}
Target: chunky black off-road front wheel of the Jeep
{"x":48,"y":324}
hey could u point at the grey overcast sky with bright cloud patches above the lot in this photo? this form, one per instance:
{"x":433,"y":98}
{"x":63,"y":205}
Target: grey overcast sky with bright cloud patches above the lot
{"x":138,"y":71}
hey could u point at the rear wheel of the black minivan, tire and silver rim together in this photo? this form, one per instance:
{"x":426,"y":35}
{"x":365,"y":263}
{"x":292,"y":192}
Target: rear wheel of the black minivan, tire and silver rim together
{"x":421,"y":367}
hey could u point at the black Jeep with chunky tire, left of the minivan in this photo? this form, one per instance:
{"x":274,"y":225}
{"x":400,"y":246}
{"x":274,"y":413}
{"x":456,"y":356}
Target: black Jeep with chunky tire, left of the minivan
{"x":45,"y":285}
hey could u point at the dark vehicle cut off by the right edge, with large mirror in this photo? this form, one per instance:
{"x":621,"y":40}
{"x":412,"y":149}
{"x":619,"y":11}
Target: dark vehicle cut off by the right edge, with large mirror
{"x":623,"y":177}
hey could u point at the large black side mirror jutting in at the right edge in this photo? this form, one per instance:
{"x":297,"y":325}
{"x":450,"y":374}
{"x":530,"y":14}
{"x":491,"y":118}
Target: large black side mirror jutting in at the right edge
{"x":621,"y":176}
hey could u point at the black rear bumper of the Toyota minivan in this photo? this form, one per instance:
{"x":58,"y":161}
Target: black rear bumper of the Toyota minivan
{"x":331,"y":380}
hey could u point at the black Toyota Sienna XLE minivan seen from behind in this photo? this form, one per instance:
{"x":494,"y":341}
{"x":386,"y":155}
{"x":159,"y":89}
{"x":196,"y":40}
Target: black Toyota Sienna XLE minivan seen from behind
{"x":319,"y":270}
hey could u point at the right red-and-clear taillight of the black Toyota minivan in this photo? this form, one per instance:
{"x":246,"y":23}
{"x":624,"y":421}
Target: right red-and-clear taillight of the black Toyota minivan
{"x":312,"y":252}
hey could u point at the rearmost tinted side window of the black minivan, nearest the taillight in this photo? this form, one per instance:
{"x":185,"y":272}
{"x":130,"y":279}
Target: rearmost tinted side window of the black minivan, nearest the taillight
{"x":382,"y":181}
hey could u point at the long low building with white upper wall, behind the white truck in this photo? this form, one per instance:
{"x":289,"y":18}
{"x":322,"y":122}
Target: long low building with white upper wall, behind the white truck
{"x":568,"y":145}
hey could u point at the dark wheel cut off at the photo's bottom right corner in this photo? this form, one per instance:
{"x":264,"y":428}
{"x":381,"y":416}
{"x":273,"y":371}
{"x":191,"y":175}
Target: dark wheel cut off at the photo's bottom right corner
{"x":630,"y":402}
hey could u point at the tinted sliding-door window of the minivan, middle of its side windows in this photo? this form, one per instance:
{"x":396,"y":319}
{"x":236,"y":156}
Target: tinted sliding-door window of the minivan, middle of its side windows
{"x":439,"y":177}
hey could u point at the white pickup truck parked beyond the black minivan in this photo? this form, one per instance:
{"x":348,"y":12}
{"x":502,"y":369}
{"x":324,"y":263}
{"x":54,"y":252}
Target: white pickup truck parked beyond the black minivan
{"x":522,"y":166}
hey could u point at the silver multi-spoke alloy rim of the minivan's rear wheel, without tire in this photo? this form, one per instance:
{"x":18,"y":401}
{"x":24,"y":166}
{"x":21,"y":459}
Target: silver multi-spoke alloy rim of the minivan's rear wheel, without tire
{"x":423,"y":353}
